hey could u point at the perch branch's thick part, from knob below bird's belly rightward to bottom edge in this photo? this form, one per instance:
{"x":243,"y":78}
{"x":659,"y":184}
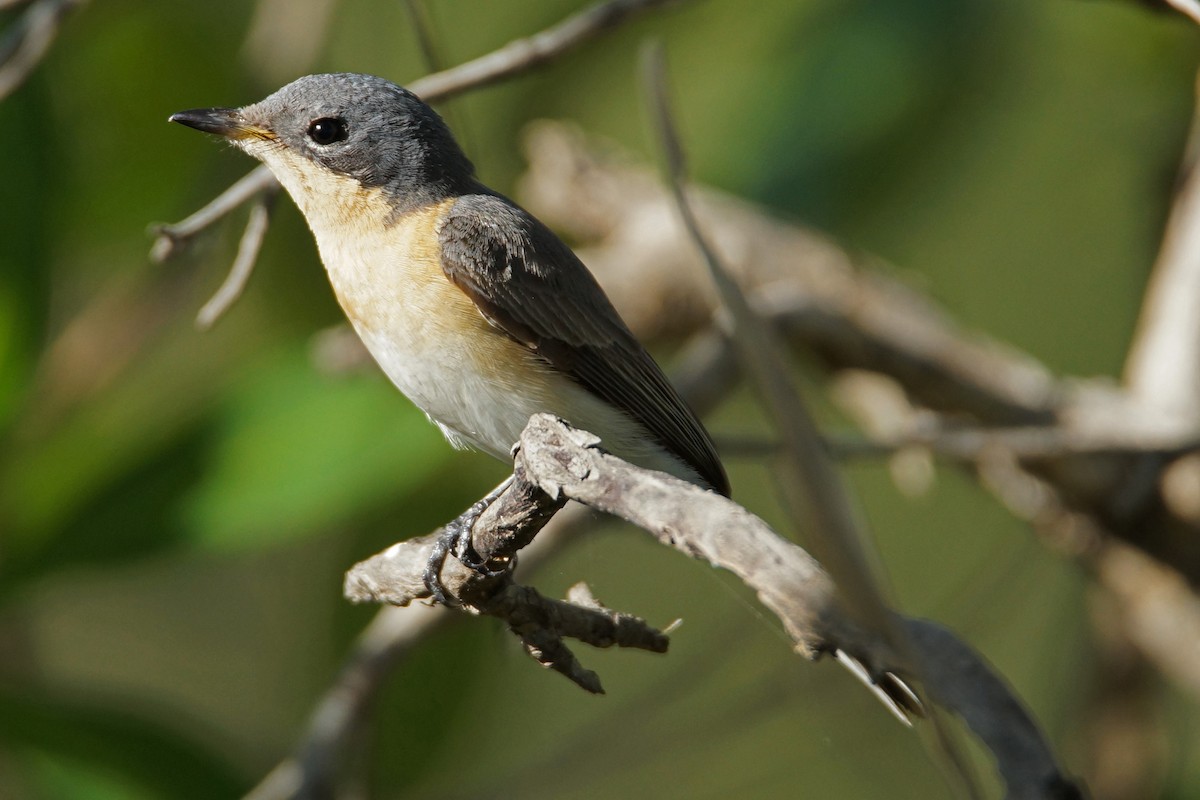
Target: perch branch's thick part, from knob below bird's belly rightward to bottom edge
{"x":793,"y":586}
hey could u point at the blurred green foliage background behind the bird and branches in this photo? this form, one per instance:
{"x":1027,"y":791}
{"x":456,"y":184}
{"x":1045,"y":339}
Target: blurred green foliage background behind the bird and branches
{"x":177,"y":508}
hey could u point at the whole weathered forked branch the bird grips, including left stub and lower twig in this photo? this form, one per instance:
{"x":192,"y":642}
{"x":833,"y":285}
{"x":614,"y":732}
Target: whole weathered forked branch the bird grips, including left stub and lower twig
{"x":560,"y":462}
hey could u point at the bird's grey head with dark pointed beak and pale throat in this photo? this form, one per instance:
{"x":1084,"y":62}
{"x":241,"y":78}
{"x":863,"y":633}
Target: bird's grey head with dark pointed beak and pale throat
{"x":356,"y":127}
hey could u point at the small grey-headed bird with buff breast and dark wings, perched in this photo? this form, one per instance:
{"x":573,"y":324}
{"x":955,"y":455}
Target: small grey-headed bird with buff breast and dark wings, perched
{"x":476,"y":310}
